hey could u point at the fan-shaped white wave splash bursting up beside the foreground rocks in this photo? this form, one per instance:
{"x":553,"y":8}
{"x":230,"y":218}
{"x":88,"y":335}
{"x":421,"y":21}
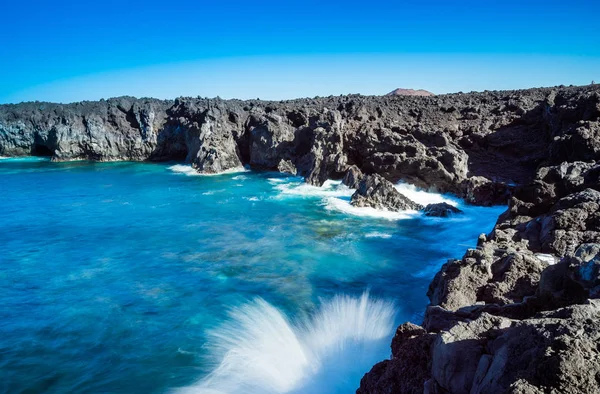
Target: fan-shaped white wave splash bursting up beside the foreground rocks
{"x":261,"y":350}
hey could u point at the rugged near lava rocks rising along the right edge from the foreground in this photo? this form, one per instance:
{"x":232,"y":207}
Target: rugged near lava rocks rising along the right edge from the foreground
{"x":521,"y":312}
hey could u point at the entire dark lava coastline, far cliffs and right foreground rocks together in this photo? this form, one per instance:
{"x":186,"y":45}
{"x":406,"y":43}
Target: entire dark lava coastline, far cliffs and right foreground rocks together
{"x":518,"y":314}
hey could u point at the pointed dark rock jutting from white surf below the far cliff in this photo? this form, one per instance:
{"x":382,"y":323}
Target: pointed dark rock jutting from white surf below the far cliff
{"x":377,"y":192}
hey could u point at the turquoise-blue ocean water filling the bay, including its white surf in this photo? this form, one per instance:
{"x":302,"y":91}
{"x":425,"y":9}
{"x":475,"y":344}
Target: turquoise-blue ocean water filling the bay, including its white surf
{"x":142,"y":278}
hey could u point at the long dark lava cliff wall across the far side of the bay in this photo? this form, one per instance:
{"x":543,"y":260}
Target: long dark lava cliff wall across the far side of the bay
{"x":476,"y":145}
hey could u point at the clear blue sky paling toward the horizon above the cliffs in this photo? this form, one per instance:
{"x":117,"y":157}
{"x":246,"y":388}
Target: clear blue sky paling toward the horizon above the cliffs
{"x":68,"y":51}
